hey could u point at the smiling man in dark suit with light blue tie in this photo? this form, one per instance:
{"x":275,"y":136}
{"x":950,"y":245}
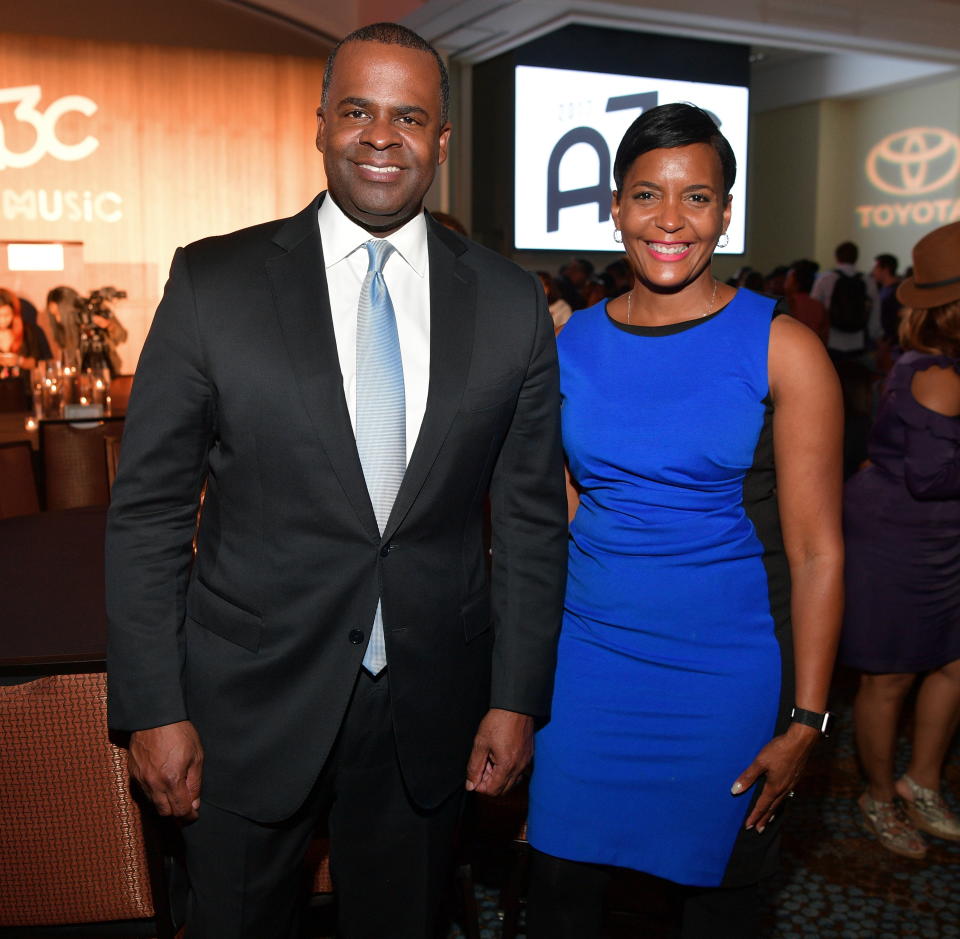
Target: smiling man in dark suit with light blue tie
{"x":252,"y":678}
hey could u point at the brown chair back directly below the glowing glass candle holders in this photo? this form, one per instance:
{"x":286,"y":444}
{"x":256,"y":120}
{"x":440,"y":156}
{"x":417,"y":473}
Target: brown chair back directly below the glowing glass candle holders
{"x":74,"y":461}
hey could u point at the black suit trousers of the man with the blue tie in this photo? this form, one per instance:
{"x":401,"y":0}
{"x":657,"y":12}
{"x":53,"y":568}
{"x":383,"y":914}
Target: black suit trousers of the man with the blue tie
{"x":390,"y":860}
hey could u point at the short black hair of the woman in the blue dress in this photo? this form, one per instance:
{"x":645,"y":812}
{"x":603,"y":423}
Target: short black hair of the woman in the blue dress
{"x":674,"y":125}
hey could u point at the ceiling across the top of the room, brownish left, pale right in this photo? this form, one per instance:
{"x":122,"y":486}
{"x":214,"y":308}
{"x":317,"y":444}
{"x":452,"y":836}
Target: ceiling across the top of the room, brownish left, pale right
{"x":803,"y":50}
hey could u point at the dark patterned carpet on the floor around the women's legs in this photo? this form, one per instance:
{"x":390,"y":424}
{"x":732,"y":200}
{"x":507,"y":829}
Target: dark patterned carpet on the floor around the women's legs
{"x":836,"y":881}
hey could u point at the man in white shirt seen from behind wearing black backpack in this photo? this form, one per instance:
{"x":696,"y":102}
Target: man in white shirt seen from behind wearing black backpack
{"x":852,"y":303}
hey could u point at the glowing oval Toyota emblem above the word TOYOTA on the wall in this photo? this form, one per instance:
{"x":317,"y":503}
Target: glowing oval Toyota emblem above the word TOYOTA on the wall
{"x":915,"y":161}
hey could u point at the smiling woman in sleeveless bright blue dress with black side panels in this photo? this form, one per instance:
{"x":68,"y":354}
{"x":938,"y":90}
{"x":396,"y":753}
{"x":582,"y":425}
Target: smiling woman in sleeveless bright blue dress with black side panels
{"x":703,"y":440}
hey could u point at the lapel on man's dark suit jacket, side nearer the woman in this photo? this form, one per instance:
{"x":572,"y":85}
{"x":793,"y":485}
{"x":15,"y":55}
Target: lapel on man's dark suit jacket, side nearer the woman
{"x":453,"y":297}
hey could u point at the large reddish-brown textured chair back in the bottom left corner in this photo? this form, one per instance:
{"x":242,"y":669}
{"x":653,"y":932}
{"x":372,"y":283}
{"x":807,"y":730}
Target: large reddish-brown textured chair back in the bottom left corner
{"x":72,"y":849}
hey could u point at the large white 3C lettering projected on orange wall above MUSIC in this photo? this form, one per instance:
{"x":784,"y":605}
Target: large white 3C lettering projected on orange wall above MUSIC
{"x":44,"y":124}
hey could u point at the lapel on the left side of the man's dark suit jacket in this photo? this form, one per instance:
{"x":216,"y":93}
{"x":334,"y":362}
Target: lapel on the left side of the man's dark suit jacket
{"x":303,"y":309}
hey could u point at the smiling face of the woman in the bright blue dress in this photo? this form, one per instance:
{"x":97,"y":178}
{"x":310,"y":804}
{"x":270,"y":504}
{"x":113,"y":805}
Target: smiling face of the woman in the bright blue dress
{"x":671,"y":211}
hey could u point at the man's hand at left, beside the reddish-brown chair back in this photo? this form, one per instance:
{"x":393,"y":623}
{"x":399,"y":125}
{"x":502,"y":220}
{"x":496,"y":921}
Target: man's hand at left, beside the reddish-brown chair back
{"x":167,"y":761}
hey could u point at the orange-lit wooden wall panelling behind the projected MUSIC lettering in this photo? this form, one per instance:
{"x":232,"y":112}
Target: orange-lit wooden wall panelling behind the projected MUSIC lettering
{"x":192,"y":142}
